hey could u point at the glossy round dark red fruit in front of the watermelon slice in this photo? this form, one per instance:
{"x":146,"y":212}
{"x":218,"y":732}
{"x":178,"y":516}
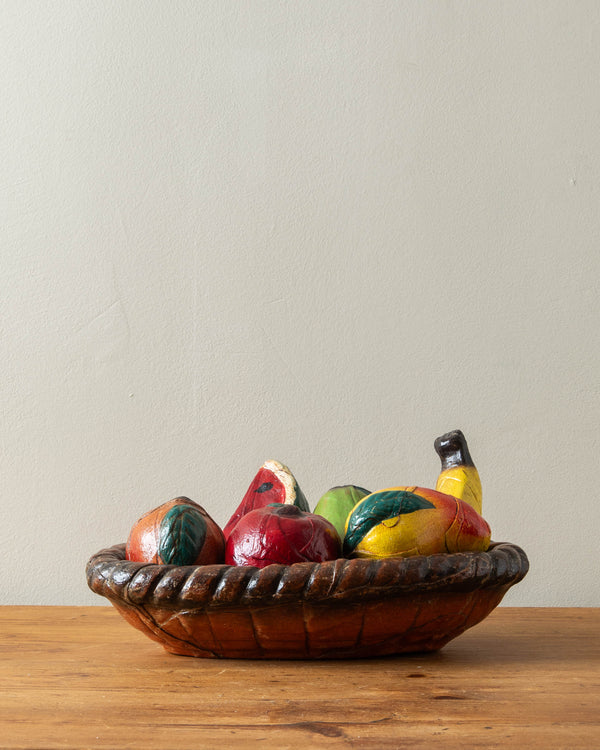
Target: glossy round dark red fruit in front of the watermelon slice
{"x":281,"y":534}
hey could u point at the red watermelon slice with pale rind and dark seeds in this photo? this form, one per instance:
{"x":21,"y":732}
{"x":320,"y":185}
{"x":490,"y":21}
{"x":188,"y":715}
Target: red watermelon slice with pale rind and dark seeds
{"x":274,"y":483}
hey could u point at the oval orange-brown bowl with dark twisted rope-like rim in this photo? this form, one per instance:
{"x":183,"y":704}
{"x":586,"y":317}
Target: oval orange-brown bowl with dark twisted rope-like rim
{"x":337,"y":609}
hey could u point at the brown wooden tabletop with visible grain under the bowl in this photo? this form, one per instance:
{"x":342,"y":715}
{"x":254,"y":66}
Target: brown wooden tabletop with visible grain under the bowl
{"x":81,"y":677}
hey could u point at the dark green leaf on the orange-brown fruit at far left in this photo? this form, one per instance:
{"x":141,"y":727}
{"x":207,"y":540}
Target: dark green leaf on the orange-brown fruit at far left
{"x":182,"y":534}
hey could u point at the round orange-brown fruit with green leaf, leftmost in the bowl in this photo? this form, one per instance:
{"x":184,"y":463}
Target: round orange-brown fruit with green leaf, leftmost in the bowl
{"x":178,"y":532}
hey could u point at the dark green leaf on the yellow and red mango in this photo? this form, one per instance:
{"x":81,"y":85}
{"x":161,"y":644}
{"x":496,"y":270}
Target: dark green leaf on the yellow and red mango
{"x":378,"y":507}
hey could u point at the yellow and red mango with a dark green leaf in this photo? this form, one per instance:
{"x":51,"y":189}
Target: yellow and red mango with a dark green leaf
{"x":405,"y":521}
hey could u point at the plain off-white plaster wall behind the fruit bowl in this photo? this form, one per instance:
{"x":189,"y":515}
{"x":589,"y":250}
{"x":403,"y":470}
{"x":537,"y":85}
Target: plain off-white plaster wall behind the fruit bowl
{"x":323,"y":232}
